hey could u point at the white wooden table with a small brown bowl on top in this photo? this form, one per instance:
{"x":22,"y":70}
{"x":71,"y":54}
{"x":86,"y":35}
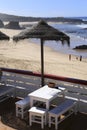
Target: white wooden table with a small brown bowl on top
{"x":44,"y":94}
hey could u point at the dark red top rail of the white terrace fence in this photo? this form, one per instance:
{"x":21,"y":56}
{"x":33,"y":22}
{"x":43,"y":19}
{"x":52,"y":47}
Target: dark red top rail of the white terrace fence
{"x":61,"y":78}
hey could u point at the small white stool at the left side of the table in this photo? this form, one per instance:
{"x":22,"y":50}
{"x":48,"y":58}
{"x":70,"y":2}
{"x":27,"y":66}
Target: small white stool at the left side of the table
{"x":22,"y":107}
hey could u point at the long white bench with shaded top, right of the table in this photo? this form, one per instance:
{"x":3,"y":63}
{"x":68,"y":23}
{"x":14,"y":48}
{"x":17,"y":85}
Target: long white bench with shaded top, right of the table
{"x":55,"y":114}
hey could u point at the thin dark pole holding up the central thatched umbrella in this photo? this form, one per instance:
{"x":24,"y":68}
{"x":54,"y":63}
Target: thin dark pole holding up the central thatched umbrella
{"x":42,"y":63}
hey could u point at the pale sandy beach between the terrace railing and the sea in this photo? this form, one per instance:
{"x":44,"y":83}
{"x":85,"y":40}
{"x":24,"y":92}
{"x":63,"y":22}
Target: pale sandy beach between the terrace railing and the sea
{"x":26,"y":55}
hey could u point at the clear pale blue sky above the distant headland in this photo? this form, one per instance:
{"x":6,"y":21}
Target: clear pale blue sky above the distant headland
{"x":44,"y":8}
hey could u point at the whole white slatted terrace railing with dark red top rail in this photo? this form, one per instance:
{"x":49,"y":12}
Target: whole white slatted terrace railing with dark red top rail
{"x":28,"y":81}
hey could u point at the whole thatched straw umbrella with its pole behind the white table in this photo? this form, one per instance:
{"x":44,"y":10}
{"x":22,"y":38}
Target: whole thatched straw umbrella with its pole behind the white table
{"x":44,"y":32}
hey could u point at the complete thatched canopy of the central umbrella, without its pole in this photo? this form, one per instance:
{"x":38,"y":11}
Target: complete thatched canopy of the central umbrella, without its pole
{"x":44,"y":31}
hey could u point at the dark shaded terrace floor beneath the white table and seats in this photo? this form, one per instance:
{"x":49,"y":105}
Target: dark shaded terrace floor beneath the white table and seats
{"x":8,"y":118}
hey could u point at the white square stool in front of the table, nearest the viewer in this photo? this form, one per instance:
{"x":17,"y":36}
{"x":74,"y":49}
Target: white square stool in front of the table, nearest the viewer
{"x":37,"y":115}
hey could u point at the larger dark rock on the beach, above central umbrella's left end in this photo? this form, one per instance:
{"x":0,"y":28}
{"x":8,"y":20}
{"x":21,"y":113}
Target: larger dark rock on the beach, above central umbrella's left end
{"x":13,"y":25}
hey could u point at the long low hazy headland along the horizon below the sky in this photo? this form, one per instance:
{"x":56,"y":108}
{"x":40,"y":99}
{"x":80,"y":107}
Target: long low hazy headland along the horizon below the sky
{"x":7,"y":17}
